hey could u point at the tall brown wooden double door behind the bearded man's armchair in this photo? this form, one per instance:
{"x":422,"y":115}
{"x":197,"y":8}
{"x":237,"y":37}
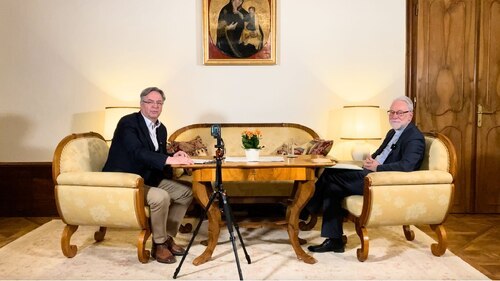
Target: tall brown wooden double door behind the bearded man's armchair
{"x":455,"y":68}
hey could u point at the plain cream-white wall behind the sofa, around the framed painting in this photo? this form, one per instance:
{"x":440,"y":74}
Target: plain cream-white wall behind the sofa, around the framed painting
{"x":63,"y":61}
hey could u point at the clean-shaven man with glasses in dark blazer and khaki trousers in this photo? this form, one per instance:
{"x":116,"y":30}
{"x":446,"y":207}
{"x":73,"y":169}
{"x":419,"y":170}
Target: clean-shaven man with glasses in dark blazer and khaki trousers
{"x":139,"y":146}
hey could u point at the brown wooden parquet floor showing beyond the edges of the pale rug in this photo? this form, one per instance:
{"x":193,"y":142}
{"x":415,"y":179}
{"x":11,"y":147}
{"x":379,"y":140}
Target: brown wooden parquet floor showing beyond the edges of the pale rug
{"x":474,"y":238}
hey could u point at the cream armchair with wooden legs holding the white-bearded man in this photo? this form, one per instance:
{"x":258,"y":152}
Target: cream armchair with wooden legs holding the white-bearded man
{"x":408,"y":198}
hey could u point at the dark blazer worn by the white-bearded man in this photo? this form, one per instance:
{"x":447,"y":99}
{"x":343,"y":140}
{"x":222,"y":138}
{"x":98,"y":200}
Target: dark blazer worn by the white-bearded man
{"x":408,"y":152}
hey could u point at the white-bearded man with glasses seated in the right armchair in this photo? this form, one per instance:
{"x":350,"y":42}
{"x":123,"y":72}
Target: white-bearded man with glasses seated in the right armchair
{"x":402,"y":150}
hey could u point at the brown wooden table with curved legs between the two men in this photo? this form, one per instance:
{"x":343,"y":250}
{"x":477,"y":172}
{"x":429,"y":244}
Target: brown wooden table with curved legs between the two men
{"x":301,"y":170}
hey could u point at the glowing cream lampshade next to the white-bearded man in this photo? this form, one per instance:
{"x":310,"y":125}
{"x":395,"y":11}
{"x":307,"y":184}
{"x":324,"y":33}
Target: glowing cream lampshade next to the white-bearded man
{"x":360,"y":122}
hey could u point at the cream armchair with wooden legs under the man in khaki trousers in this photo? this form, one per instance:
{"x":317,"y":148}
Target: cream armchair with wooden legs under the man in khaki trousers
{"x":86,"y":196}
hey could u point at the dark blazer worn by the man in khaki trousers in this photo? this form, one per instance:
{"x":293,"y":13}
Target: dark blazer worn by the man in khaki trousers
{"x":133,"y":151}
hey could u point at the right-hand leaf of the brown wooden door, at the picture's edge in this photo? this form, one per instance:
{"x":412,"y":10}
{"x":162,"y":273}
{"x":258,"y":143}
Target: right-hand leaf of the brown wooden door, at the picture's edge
{"x":488,"y":110}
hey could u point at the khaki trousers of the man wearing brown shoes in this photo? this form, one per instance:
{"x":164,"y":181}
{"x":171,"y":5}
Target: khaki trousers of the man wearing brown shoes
{"x":168,"y":204}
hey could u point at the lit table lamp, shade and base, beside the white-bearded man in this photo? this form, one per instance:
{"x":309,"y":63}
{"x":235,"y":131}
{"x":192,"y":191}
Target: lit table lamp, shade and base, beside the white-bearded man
{"x":360,"y":123}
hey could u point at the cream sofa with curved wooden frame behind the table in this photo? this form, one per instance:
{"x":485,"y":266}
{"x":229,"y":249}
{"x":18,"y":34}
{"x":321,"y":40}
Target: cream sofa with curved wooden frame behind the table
{"x":196,"y":140}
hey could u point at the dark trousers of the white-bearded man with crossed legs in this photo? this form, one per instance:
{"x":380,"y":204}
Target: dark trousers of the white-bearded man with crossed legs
{"x":331,"y":188}
